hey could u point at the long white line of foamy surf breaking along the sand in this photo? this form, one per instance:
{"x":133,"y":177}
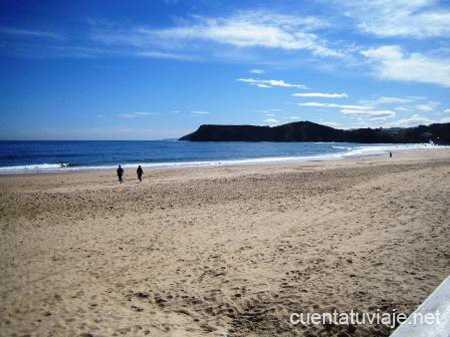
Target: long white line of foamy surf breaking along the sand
{"x":348,"y":152}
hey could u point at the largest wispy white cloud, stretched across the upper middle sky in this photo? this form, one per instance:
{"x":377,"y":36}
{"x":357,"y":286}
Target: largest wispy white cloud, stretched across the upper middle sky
{"x":248,"y":29}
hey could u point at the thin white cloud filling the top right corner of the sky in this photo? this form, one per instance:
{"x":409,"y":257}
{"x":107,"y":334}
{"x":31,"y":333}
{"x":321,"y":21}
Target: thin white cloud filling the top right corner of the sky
{"x":408,"y":18}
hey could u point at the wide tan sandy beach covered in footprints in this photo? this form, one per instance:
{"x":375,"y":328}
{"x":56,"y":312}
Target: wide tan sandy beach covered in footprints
{"x":222,"y":251}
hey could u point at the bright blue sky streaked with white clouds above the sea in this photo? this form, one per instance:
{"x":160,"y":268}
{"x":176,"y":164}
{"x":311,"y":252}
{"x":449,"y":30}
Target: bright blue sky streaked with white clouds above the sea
{"x":156,"y":69}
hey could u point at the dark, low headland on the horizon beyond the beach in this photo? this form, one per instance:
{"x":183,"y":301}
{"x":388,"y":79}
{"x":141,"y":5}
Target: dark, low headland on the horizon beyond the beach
{"x":312,"y":132}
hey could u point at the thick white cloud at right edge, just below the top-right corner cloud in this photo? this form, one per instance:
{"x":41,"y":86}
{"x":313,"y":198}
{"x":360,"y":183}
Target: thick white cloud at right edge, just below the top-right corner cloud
{"x":391,"y":63}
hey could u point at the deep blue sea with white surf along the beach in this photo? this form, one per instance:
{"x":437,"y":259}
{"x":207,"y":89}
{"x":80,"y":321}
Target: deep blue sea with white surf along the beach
{"x":49,"y":156}
